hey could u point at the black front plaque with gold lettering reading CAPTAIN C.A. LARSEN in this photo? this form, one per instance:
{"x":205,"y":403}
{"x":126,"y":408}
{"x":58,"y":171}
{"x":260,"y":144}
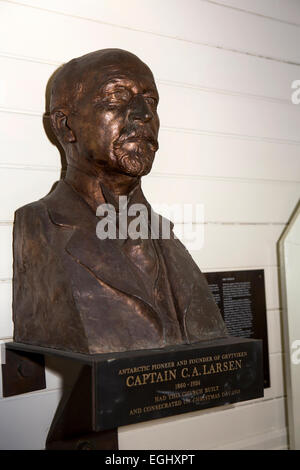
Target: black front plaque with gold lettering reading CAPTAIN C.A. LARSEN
{"x":146,"y":385}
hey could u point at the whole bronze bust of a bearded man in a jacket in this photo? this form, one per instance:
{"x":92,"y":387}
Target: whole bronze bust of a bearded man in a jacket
{"x":74,"y":290}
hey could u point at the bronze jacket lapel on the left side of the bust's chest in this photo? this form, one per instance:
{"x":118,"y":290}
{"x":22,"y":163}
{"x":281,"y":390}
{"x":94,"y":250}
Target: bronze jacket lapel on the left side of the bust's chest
{"x":103,"y":258}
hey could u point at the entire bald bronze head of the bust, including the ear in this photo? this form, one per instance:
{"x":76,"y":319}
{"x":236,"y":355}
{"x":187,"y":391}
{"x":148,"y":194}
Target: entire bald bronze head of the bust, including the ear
{"x":103,"y":109}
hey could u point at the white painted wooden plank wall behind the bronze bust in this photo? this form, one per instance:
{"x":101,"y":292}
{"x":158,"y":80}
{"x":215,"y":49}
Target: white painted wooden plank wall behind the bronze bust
{"x":230,"y":139}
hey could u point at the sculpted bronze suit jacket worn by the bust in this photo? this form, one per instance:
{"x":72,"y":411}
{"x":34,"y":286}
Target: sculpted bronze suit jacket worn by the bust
{"x":75,"y":292}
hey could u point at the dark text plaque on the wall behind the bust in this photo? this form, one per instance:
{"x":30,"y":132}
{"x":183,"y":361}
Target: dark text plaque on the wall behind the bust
{"x":240,"y":296}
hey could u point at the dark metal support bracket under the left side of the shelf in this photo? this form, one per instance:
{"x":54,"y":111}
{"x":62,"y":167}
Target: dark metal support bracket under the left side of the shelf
{"x":73,"y":426}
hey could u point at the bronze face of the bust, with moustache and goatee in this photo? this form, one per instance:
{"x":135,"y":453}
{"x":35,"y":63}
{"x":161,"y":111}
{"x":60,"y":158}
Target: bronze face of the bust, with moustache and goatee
{"x":115,"y":121}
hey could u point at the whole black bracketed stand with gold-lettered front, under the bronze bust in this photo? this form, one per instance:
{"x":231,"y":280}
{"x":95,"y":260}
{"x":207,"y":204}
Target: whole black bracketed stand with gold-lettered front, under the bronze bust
{"x":123,"y":388}
